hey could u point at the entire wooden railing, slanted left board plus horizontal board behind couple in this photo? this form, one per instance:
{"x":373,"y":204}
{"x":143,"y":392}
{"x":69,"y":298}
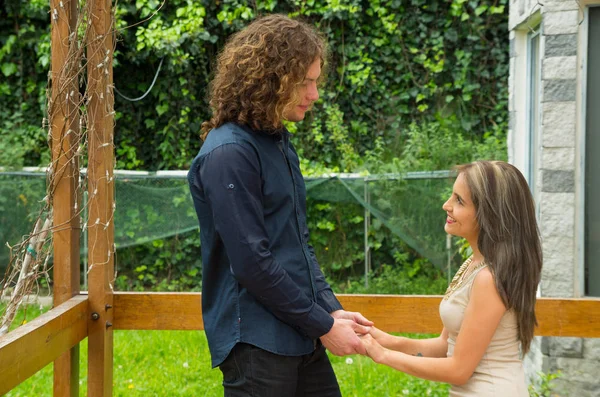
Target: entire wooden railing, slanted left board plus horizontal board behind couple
{"x":32,"y":346}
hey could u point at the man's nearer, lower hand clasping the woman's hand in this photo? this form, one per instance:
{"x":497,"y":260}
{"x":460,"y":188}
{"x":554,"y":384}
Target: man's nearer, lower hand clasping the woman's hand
{"x":342,"y":338}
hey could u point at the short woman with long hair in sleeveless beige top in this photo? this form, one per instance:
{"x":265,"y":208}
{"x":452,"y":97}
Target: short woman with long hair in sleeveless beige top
{"x":488,"y":310}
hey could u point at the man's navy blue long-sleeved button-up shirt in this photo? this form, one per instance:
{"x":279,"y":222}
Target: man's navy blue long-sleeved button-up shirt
{"x":261,"y":282}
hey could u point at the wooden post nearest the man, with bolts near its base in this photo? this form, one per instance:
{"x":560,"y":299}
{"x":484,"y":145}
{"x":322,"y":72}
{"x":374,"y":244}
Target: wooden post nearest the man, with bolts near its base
{"x":101,"y":251}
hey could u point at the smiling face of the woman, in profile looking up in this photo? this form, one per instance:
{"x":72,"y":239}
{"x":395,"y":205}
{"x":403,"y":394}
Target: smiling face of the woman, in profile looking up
{"x":460,"y":210}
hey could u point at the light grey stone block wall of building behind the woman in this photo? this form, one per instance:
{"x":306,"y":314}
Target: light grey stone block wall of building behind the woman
{"x":557,"y":166}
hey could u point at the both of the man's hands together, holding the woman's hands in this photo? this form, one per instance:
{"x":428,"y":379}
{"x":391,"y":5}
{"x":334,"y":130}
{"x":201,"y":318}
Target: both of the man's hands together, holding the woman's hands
{"x":343,"y":338}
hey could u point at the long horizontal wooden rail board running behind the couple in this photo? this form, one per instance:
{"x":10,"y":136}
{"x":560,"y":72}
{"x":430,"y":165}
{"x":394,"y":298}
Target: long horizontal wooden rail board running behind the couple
{"x":392,"y":313}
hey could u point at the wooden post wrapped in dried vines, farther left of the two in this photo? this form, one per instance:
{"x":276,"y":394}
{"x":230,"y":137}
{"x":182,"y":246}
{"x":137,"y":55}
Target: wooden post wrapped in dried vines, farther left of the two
{"x":64,"y":179}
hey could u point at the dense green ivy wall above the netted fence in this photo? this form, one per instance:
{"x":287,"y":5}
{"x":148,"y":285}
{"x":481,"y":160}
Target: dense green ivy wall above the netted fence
{"x":392,"y":63}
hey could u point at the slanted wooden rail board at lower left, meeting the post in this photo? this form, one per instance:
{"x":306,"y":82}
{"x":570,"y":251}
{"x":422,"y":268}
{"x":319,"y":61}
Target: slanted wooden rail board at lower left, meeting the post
{"x":34,"y":345}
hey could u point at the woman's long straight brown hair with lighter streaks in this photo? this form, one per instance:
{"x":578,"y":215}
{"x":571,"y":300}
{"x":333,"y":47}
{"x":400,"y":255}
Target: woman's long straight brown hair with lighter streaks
{"x":508,"y":237}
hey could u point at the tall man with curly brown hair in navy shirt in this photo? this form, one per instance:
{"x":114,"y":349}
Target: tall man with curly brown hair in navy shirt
{"x":268,"y":312}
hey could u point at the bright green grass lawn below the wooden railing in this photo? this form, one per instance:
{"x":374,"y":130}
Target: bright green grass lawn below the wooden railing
{"x":177,"y":363}
